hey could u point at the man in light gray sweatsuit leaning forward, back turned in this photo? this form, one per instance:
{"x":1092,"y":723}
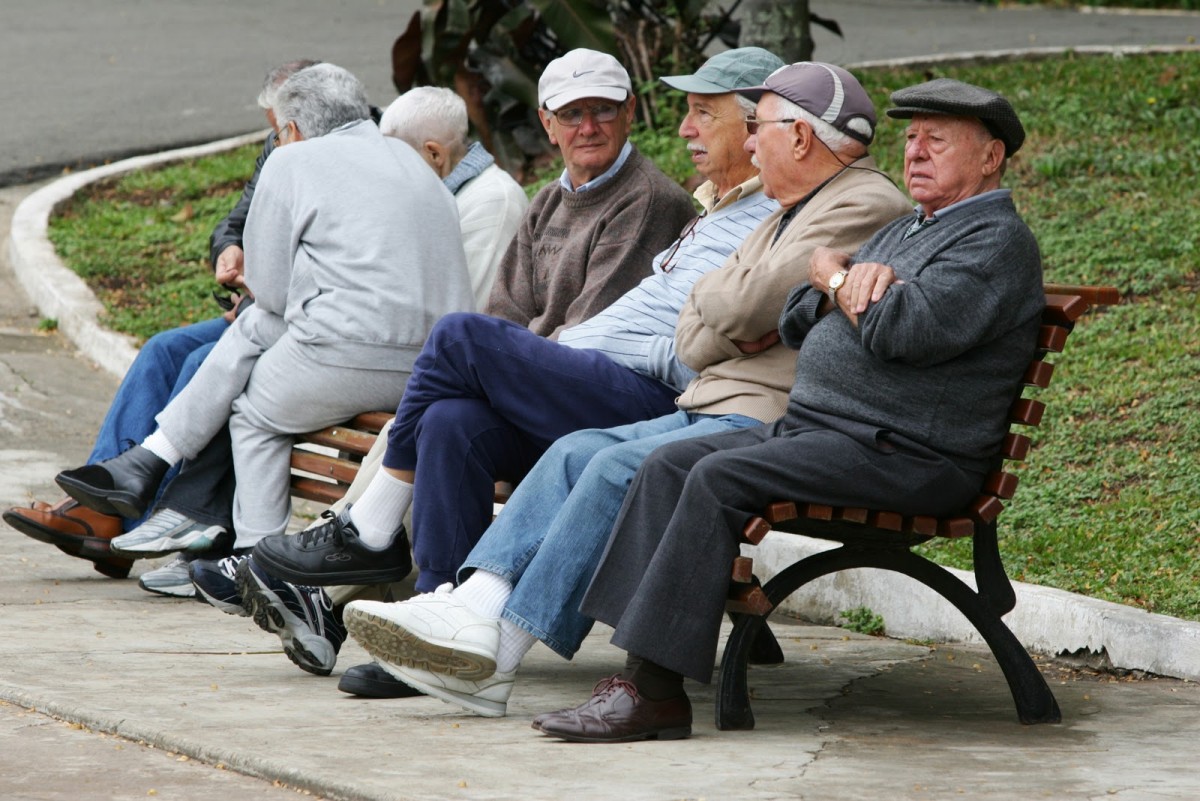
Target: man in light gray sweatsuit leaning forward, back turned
{"x":339,"y":263}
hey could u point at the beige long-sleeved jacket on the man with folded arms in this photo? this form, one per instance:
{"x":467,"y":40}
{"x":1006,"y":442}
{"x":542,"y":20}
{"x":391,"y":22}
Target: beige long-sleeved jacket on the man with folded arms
{"x":743,"y":300}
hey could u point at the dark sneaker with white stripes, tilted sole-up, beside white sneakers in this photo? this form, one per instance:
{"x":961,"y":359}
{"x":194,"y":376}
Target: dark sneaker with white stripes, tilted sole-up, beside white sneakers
{"x":304,"y":618}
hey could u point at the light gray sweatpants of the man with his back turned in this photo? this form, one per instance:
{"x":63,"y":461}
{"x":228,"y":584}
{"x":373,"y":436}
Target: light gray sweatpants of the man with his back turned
{"x":268,"y":388}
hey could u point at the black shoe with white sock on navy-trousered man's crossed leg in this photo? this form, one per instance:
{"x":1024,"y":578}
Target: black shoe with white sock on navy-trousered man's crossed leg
{"x":333,"y":553}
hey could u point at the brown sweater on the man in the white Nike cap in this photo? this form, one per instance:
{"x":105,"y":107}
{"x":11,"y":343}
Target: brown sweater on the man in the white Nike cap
{"x":578,"y":252}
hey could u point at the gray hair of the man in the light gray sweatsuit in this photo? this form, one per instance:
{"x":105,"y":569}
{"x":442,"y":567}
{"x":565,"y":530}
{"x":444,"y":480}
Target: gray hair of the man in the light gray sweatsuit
{"x":321,"y":99}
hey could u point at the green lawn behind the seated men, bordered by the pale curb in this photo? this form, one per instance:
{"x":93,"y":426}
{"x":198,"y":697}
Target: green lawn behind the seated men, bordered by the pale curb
{"x":1109,"y":503}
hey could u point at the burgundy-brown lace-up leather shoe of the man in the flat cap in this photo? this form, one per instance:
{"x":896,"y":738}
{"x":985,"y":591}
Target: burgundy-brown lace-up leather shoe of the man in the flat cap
{"x":617,"y":713}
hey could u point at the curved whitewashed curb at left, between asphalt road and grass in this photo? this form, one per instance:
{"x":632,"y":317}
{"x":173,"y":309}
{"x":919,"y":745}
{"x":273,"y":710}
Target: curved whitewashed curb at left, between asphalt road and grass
{"x":58,"y":292}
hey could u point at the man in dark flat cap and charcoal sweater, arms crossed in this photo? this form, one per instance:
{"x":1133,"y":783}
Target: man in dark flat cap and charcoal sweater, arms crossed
{"x":910,"y":354}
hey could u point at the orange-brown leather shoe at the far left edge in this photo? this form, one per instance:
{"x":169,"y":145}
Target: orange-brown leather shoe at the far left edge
{"x":75,"y":531}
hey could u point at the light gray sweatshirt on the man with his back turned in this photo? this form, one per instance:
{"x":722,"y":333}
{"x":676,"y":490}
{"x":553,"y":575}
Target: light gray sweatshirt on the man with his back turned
{"x":355,"y":242}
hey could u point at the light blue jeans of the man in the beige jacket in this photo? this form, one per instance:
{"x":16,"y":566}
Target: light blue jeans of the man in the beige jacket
{"x":550,"y":537}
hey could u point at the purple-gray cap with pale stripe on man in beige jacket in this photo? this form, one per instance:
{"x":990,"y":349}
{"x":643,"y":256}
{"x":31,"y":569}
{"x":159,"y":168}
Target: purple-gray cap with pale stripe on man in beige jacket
{"x":824,"y":91}
